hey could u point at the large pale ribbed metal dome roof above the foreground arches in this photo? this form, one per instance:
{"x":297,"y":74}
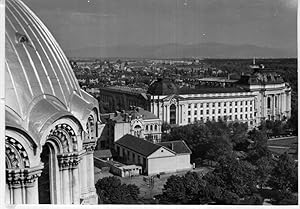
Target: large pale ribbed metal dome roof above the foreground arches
{"x":39,"y":82}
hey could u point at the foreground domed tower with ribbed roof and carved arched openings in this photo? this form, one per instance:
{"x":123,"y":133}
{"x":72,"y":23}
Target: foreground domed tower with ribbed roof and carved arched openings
{"x":51,"y":124}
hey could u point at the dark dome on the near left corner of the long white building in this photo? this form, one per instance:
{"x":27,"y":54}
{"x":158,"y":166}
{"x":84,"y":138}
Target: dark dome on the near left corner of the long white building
{"x":162,"y":86}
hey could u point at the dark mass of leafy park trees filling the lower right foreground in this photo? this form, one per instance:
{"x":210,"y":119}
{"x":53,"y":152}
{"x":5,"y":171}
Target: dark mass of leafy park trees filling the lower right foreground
{"x":243,"y":170}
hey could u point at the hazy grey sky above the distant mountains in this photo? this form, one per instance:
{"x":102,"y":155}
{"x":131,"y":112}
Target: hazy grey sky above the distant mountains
{"x":82,"y":23}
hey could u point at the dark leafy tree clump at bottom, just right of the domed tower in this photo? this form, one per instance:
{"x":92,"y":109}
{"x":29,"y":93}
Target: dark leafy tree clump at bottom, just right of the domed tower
{"x":111,"y":191}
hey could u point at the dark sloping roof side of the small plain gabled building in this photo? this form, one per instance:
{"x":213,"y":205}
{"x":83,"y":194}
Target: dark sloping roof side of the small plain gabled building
{"x":138,"y":145}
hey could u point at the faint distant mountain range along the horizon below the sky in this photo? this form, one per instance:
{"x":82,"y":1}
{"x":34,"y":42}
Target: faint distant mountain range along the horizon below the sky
{"x":202,"y":50}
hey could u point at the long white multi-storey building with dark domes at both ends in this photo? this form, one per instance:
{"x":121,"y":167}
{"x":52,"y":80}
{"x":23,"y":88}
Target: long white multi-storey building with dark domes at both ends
{"x":263,"y":95}
